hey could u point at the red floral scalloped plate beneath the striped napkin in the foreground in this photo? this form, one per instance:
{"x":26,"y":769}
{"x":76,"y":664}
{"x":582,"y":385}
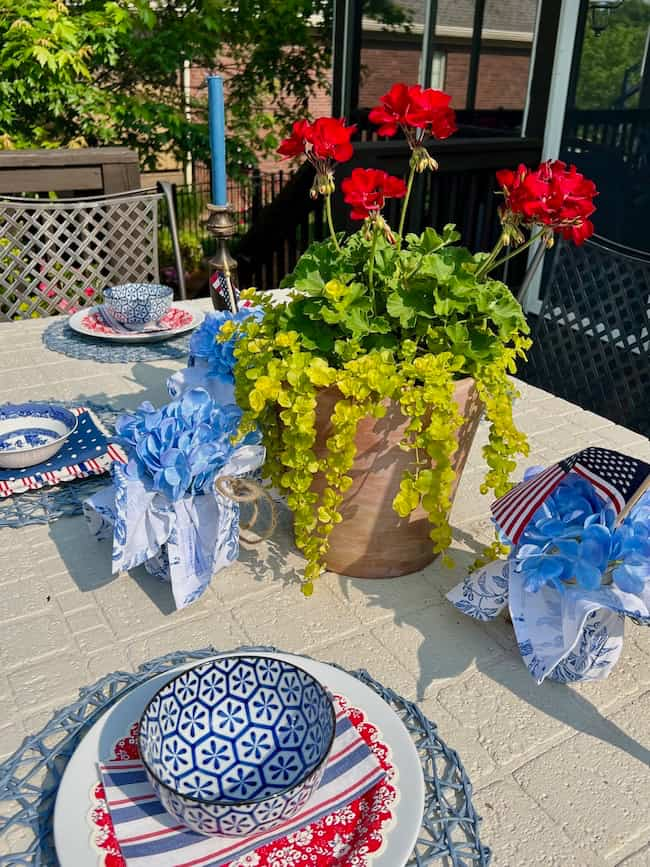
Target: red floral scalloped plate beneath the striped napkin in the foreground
{"x":349,"y":837}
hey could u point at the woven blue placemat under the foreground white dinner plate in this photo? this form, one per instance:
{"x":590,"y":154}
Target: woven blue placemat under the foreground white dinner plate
{"x":30,"y":777}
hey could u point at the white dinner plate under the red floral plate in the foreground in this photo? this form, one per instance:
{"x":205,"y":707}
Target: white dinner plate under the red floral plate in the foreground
{"x":72,"y":833}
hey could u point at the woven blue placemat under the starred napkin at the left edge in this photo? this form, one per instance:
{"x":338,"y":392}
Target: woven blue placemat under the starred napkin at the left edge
{"x":48,"y":504}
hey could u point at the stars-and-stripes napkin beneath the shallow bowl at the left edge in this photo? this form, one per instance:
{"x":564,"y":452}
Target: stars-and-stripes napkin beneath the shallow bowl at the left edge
{"x":17,"y":482}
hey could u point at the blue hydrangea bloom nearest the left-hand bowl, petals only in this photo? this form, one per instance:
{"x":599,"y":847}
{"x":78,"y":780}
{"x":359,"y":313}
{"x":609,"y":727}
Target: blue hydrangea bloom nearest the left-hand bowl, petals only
{"x":179,"y":448}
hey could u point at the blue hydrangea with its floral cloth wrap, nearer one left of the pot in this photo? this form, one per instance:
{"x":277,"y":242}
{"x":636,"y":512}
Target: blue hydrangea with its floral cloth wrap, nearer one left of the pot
{"x":163,"y":509}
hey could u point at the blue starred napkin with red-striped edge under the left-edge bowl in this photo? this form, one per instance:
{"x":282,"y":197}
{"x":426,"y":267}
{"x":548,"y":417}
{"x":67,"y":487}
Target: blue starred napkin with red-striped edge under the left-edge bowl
{"x":87,"y":452}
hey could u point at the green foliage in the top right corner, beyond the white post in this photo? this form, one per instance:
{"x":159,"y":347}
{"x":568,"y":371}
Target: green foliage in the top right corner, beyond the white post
{"x":605,"y":58}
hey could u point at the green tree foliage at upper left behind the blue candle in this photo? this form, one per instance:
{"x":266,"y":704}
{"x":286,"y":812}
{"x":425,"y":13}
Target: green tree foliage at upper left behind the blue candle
{"x":98,"y":72}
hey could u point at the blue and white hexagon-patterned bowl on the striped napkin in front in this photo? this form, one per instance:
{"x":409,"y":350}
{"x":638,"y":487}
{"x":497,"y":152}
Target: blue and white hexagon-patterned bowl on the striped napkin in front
{"x":237,"y":745}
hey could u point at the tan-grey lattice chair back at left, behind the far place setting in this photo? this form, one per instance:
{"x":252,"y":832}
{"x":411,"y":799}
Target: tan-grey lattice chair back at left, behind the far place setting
{"x":58,"y":256}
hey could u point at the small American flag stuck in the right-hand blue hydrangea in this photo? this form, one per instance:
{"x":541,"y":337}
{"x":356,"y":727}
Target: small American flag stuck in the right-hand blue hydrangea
{"x":617,"y":479}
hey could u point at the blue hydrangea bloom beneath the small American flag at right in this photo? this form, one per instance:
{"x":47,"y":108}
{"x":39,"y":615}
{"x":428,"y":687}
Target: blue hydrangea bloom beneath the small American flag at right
{"x":573,"y":538}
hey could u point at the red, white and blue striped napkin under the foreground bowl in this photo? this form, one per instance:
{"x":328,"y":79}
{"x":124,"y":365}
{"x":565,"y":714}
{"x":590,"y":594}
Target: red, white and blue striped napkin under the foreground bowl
{"x":150,"y":837}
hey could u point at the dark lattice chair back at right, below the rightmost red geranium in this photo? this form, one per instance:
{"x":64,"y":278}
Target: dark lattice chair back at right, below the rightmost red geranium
{"x":591,"y":340}
